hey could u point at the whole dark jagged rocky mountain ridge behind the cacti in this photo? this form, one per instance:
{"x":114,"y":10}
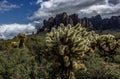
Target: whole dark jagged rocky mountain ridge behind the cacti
{"x":95,"y":22}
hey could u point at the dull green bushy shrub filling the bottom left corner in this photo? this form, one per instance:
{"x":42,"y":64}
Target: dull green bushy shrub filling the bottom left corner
{"x":17,"y":64}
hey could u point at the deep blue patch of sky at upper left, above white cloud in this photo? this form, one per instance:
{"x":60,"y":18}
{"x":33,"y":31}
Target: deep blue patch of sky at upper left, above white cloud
{"x":16,"y":11}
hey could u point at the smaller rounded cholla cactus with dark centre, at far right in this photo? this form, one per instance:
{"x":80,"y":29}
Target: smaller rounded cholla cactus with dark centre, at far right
{"x":107,"y":43}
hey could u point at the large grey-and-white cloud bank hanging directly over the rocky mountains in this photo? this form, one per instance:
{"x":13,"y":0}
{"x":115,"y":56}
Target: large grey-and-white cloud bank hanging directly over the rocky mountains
{"x":84,"y":8}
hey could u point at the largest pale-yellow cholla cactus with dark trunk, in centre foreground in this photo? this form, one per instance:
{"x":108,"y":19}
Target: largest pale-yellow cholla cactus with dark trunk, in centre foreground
{"x":67,"y":45}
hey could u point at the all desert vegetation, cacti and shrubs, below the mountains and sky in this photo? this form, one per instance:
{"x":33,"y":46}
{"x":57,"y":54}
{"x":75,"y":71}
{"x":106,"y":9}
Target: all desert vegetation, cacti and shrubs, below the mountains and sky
{"x":65,"y":52}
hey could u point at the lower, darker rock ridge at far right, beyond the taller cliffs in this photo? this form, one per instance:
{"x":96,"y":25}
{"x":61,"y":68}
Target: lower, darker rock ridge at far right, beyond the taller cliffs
{"x":103,"y":24}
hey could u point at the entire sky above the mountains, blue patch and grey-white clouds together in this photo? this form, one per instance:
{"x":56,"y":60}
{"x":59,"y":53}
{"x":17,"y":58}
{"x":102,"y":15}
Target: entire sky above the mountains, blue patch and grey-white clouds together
{"x":17,"y":16}
